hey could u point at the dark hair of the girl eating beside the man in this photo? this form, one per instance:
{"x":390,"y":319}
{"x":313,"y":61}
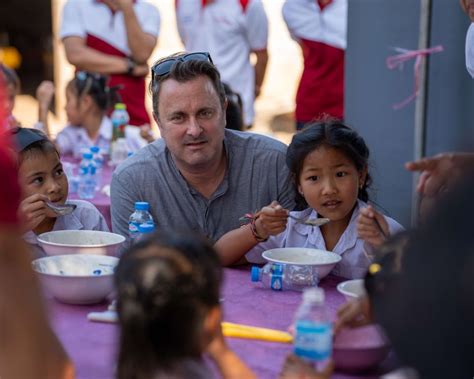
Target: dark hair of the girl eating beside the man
{"x":332,"y":133}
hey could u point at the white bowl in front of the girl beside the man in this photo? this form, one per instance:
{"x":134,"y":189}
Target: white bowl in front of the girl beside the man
{"x":322,"y":261}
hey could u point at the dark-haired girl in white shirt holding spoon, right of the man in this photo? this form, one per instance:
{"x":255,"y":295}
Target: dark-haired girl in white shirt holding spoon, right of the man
{"x":329,"y":165}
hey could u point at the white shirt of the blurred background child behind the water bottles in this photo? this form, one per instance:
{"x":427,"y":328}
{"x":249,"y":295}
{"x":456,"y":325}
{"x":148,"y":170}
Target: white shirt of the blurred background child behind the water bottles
{"x":75,"y":140}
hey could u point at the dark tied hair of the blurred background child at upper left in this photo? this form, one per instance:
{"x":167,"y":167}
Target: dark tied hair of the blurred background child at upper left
{"x":94,"y":85}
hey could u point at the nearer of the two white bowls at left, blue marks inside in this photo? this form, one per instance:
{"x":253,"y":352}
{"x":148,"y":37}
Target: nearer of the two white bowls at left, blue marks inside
{"x":77,"y":279}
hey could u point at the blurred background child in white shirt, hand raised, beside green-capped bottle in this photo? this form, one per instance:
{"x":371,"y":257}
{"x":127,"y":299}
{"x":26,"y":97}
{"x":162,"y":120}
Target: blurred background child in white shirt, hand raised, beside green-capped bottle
{"x":87,"y":101}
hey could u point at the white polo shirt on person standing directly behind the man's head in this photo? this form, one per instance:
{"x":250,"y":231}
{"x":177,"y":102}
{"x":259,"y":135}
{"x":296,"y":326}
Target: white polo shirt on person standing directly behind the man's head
{"x":229,"y":30}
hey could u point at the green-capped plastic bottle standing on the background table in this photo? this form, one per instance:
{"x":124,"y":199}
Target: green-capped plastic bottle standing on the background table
{"x":118,"y":146}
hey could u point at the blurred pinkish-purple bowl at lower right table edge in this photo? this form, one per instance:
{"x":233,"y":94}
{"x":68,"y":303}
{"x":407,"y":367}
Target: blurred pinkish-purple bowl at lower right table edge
{"x":359,"y":349}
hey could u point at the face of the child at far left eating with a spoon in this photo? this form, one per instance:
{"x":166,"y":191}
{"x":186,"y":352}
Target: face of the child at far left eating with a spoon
{"x":43,"y":173}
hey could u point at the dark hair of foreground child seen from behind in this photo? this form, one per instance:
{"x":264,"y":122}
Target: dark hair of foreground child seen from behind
{"x":166,"y":286}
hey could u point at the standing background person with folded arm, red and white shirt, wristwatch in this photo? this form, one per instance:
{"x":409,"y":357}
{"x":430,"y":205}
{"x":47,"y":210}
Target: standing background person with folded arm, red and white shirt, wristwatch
{"x":115,"y":38}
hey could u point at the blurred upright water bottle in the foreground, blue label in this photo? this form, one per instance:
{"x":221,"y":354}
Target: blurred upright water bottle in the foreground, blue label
{"x":313,"y":328}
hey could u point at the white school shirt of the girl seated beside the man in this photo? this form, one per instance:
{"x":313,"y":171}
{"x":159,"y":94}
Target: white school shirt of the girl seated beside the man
{"x":356,"y":254}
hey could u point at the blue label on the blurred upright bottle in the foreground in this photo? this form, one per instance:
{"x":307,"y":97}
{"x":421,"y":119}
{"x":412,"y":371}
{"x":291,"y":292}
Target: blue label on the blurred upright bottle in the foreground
{"x":313,"y":340}
